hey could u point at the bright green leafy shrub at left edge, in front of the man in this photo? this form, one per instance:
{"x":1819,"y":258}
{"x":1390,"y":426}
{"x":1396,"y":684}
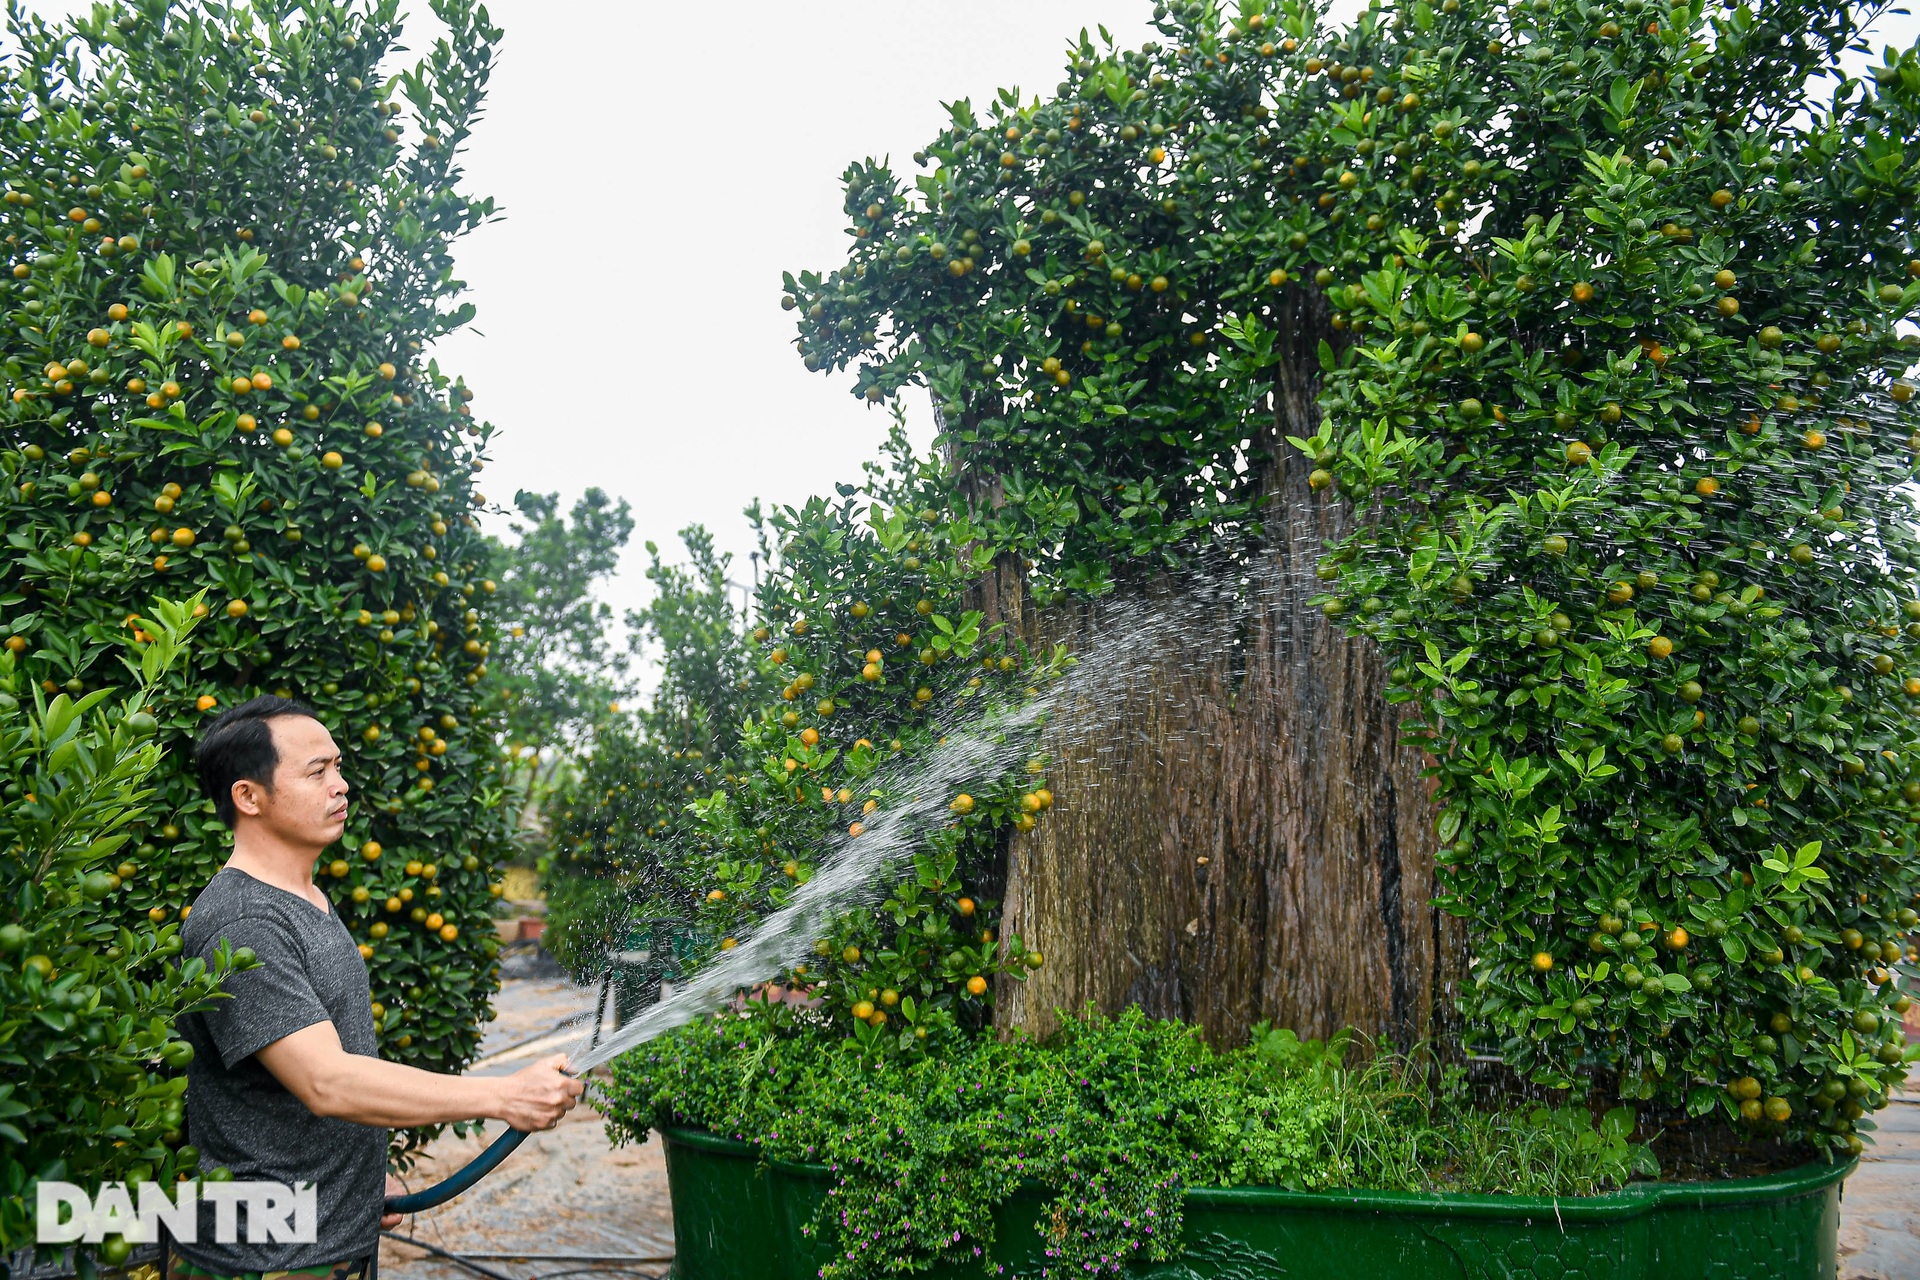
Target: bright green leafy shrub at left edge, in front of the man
{"x":93,"y":1087}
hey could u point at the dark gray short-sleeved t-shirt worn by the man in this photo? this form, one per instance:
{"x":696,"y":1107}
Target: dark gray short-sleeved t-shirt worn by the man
{"x":239,"y":1114}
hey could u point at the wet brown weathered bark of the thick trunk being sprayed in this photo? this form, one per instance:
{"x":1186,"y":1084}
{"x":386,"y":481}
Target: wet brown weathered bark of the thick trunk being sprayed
{"x":1243,"y":838}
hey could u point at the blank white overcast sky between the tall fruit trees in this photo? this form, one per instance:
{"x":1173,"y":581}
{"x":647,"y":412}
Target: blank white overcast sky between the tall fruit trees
{"x":660,"y":166}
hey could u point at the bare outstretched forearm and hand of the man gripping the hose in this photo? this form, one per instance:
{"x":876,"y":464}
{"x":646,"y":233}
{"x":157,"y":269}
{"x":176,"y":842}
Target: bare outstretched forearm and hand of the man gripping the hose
{"x":372,"y":1091}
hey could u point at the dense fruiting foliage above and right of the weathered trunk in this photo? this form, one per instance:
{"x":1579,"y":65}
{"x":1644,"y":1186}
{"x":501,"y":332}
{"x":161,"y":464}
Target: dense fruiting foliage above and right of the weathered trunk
{"x":1606,"y":310}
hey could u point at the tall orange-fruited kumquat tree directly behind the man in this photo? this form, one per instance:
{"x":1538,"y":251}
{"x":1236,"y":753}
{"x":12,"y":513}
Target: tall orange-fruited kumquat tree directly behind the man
{"x":226,"y":243}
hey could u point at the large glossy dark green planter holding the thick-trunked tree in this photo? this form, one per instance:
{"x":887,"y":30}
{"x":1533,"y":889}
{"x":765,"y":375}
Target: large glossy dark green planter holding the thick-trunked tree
{"x":738,"y":1218}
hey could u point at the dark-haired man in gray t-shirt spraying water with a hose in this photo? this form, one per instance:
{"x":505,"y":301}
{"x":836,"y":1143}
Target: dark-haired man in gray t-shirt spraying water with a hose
{"x":287,"y":1083}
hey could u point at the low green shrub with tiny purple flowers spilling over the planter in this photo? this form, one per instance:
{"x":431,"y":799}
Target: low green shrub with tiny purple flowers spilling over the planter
{"x":1113,"y":1116}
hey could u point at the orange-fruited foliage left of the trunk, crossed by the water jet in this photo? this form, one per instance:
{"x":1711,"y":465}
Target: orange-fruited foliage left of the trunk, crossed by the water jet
{"x":863,"y":657}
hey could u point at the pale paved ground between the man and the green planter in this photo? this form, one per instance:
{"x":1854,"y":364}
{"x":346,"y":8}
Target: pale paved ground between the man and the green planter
{"x":567,"y":1202}
